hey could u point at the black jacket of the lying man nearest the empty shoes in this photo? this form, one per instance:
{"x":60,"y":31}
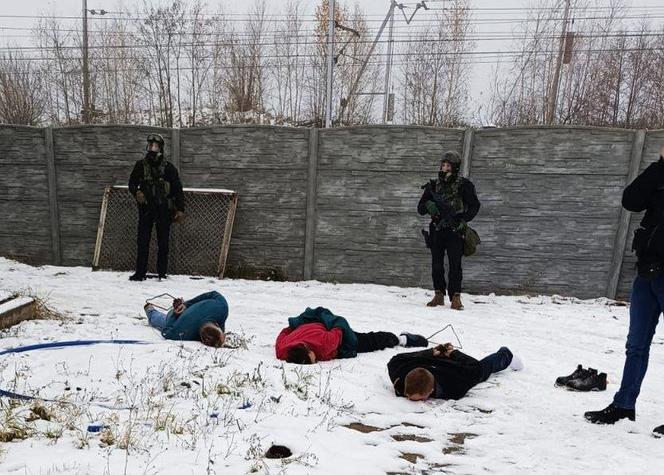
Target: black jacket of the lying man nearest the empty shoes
{"x":455,"y":374}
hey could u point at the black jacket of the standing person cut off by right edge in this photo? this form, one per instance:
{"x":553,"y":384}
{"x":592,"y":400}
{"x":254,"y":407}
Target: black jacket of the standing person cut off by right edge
{"x":646,"y":192}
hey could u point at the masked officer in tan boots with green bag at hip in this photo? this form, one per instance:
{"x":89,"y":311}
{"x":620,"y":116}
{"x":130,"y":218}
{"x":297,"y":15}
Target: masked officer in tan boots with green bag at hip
{"x":451,"y":202}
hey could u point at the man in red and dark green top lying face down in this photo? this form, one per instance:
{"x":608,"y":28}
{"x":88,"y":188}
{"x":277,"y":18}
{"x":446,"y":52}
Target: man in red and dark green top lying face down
{"x":319,"y":335}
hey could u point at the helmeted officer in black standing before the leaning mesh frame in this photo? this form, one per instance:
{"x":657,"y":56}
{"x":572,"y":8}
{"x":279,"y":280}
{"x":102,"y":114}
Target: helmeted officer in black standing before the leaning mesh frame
{"x":156,"y":186}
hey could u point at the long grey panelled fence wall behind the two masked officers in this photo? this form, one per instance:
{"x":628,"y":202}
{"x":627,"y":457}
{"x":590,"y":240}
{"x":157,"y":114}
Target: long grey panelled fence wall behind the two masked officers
{"x":339,"y":204}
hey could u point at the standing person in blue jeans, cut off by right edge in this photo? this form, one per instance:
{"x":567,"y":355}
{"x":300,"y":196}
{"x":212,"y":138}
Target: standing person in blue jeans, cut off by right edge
{"x":646,"y":192}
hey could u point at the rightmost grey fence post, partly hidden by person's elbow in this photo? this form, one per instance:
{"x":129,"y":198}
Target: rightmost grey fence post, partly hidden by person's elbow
{"x":623,"y":223}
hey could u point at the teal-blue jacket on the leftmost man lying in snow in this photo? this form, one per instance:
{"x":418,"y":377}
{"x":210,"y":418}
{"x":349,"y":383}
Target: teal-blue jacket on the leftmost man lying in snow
{"x":210,"y":307}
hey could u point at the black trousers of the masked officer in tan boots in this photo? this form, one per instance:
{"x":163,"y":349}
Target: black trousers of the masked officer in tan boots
{"x":446,"y":241}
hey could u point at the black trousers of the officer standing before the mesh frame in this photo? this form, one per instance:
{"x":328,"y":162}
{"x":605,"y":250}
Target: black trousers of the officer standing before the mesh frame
{"x":147,"y":218}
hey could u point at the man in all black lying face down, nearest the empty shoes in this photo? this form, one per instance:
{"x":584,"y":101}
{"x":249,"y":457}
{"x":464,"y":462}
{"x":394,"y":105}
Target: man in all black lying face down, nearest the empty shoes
{"x":443,"y":372}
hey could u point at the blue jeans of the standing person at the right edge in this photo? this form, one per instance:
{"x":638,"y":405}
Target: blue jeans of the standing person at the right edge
{"x":647,"y":303}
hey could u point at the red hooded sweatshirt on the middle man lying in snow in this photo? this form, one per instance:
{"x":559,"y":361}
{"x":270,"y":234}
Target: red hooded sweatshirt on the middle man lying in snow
{"x":322,"y":342}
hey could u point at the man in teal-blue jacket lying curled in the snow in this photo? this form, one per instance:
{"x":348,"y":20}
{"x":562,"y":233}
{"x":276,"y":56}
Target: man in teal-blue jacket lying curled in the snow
{"x":202,"y":318}
